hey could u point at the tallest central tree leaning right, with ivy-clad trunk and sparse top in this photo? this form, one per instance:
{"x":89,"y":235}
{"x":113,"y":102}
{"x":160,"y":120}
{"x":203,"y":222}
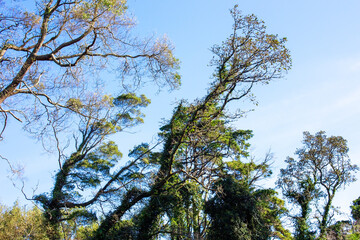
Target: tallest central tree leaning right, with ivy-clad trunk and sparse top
{"x":198,"y":138}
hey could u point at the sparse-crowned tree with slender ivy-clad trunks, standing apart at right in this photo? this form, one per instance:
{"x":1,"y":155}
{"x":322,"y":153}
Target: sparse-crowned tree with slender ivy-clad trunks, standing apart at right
{"x":322,"y":169}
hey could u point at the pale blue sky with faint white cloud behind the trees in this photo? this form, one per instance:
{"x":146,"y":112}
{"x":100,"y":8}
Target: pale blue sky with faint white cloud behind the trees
{"x":320,"y":92}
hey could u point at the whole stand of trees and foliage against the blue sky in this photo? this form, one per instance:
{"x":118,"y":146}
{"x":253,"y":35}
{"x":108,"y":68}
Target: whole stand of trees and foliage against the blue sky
{"x":197,"y":179}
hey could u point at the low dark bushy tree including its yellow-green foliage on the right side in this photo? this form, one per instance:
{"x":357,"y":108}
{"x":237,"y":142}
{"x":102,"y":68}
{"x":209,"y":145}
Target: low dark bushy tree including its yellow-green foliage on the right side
{"x":237,"y":211}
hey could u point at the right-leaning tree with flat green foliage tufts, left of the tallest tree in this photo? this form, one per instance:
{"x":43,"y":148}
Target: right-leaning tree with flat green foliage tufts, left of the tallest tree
{"x":89,"y":166}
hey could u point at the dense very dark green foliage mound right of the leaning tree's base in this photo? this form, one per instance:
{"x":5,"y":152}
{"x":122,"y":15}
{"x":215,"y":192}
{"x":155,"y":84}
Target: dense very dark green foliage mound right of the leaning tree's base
{"x":235,"y":213}
